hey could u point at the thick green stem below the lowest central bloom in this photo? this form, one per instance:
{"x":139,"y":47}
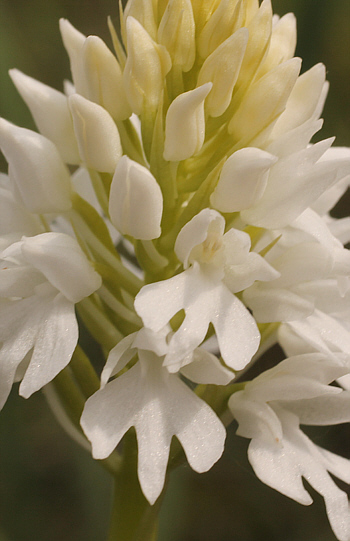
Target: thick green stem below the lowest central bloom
{"x":133,"y":518}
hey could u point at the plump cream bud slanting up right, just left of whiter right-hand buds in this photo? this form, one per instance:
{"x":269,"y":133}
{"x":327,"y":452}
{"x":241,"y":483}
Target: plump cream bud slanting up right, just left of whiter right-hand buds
{"x":265,"y":101}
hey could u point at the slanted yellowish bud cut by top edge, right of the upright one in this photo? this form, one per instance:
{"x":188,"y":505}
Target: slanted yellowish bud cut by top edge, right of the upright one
{"x":226,"y":19}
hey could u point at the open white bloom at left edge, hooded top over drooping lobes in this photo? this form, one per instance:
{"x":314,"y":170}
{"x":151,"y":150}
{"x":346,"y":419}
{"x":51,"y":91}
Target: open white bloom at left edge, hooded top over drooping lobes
{"x":42,"y":278}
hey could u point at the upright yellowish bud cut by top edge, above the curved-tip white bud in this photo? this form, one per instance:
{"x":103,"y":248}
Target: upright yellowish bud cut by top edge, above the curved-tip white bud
{"x":177,"y":33}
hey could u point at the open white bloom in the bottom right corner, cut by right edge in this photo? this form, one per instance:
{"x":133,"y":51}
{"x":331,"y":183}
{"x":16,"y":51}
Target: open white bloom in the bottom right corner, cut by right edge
{"x":269,"y":411}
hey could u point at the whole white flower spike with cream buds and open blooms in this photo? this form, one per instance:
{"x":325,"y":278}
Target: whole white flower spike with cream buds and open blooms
{"x":188,"y":149}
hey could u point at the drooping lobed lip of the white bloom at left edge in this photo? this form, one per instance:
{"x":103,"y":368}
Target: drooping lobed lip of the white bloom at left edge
{"x":46,"y":323}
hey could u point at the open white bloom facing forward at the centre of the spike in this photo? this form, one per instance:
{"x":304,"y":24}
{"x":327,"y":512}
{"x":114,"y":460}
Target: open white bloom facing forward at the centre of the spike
{"x":217,"y":265}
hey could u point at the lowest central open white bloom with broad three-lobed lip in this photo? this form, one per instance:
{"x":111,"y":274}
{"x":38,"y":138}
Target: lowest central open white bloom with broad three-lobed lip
{"x":158,"y":404}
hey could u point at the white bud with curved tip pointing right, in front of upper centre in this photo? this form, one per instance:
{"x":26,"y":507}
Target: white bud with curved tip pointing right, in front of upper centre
{"x":185,"y":124}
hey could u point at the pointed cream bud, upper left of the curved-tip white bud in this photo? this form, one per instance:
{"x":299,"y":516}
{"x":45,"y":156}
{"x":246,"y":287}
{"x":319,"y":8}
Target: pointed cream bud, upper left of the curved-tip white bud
{"x":146,"y":66}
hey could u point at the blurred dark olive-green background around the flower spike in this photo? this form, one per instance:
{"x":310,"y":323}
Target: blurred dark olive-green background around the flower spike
{"x":50,"y":489}
